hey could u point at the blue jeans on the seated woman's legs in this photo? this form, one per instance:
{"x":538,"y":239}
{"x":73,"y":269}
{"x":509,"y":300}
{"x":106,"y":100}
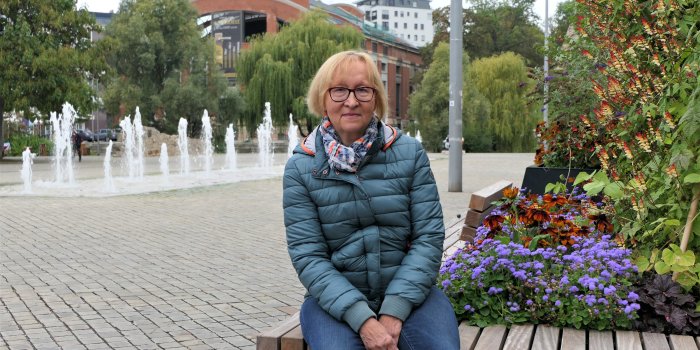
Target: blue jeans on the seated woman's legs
{"x":432,"y":325}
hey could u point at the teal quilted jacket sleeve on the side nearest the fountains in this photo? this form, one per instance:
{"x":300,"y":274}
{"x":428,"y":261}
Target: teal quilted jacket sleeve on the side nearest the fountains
{"x":310,"y":255}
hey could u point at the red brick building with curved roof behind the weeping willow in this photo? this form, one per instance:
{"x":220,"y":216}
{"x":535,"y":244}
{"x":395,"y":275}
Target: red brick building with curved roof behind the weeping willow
{"x":232,"y":22}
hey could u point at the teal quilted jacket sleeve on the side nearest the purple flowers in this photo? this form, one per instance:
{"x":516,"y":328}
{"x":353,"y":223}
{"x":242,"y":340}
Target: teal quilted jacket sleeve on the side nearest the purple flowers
{"x":413,"y":280}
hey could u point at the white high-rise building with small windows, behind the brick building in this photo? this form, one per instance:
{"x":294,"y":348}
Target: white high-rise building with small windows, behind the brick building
{"x":411,"y":20}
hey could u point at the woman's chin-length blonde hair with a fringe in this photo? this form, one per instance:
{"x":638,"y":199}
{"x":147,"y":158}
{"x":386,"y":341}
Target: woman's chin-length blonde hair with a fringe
{"x":323,"y":78}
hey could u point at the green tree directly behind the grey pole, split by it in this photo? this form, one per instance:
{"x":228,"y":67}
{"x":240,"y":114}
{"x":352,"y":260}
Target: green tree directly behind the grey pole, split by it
{"x":430,"y":104}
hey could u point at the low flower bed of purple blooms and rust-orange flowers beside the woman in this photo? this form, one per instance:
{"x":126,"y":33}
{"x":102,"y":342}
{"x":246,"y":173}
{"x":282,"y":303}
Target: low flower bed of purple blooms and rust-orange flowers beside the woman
{"x":543,"y":259}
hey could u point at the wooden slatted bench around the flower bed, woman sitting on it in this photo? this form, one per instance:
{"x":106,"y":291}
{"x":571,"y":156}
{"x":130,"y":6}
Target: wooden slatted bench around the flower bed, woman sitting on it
{"x":287,"y":335}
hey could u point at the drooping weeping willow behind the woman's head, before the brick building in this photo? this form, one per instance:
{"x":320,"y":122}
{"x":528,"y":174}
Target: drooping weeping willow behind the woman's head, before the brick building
{"x":278,"y":67}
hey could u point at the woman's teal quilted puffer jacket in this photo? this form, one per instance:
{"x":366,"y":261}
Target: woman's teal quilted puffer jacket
{"x":366,"y":243}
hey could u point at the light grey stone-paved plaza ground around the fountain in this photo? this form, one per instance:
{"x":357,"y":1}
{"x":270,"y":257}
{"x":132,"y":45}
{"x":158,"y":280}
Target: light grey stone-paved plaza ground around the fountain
{"x":197,"y":268}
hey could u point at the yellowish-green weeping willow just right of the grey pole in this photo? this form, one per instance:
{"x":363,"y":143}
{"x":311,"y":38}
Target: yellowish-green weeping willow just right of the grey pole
{"x":503,"y":81}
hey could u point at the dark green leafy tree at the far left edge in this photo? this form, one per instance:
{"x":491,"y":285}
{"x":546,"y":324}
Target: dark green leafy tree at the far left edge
{"x":46,"y":58}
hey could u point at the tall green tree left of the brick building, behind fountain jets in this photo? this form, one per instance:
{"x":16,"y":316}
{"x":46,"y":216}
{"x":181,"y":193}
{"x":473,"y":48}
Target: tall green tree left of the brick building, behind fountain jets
{"x":162,"y":64}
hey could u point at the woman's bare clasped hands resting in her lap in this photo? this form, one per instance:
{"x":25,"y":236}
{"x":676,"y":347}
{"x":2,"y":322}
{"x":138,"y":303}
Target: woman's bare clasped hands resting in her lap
{"x":381,"y":334}
